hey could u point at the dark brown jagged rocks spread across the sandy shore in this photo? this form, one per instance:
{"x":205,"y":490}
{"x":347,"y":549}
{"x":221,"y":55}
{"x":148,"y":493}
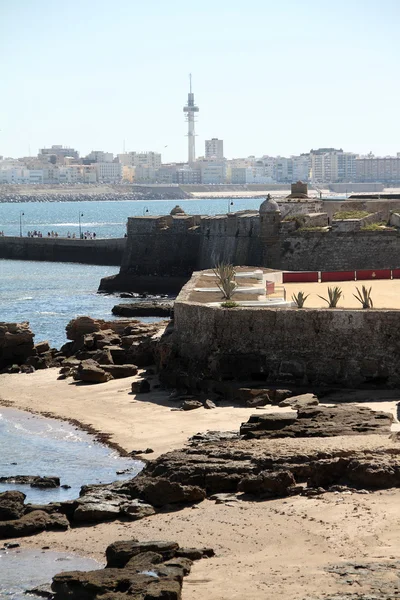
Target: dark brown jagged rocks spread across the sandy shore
{"x":290,"y":447}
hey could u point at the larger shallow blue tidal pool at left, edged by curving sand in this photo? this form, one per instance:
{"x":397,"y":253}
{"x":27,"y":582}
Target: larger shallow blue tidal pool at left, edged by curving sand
{"x":33,"y":445}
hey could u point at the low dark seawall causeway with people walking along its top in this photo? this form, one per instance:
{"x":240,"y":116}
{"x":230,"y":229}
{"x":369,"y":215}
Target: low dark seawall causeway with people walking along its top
{"x":92,"y":252}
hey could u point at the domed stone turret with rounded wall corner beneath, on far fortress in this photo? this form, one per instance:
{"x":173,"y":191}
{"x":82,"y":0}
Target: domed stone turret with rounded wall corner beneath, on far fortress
{"x":270,"y":222}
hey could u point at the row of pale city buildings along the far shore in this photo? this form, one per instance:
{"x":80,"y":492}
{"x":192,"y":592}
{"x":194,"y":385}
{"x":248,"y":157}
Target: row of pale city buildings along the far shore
{"x":321,"y":166}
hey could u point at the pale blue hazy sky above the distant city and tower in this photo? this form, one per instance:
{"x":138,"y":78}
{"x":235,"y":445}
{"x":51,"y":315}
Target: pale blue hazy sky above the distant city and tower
{"x":269,"y":77}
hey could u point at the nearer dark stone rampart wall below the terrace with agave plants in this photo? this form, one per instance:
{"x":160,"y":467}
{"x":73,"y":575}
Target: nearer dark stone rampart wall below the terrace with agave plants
{"x":343,"y":347}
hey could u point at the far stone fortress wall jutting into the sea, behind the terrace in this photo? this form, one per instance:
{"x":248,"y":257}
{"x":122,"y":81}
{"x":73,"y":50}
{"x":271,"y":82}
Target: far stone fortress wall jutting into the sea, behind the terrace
{"x":176,"y":245}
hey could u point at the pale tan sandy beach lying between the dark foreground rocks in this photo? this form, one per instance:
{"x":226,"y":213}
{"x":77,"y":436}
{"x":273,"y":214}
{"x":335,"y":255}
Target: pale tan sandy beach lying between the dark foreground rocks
{"x":264,"y":550}
